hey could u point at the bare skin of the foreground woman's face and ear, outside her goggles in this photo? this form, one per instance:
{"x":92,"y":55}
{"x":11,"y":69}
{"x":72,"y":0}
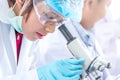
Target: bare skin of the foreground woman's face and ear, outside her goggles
{"x":32,"y":27}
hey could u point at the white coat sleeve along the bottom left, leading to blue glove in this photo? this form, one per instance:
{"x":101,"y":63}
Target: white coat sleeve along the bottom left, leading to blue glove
{"x":30,"y":75}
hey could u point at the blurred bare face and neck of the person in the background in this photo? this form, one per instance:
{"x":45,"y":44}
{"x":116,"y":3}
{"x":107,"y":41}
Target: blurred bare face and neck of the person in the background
{"x":93,"y":11}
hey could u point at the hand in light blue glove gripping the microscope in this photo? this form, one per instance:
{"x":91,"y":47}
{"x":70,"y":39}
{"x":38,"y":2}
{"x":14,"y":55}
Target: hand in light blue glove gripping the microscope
{"x":67,"y":69}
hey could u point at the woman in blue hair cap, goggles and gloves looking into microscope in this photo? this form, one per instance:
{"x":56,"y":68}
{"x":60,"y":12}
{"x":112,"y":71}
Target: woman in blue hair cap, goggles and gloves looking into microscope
{"x":25,"y":23}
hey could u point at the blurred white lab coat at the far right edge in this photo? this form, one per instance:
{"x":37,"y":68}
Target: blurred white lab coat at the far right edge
{"x":107,"y":34}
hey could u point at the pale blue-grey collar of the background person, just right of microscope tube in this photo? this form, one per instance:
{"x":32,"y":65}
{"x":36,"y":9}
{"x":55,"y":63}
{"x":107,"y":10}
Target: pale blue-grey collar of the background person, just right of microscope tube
{"x":88,"y":37}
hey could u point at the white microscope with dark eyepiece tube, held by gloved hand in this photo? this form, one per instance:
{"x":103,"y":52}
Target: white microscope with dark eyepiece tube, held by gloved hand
{"x":92,"y":66}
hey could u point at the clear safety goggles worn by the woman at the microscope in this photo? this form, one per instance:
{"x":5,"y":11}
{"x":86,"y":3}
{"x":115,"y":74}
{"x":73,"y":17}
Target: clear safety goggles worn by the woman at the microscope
{"x":46,"y":14}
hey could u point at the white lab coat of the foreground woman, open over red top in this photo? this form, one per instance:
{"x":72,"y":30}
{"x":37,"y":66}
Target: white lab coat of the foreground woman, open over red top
{"x":28,"y":59}
